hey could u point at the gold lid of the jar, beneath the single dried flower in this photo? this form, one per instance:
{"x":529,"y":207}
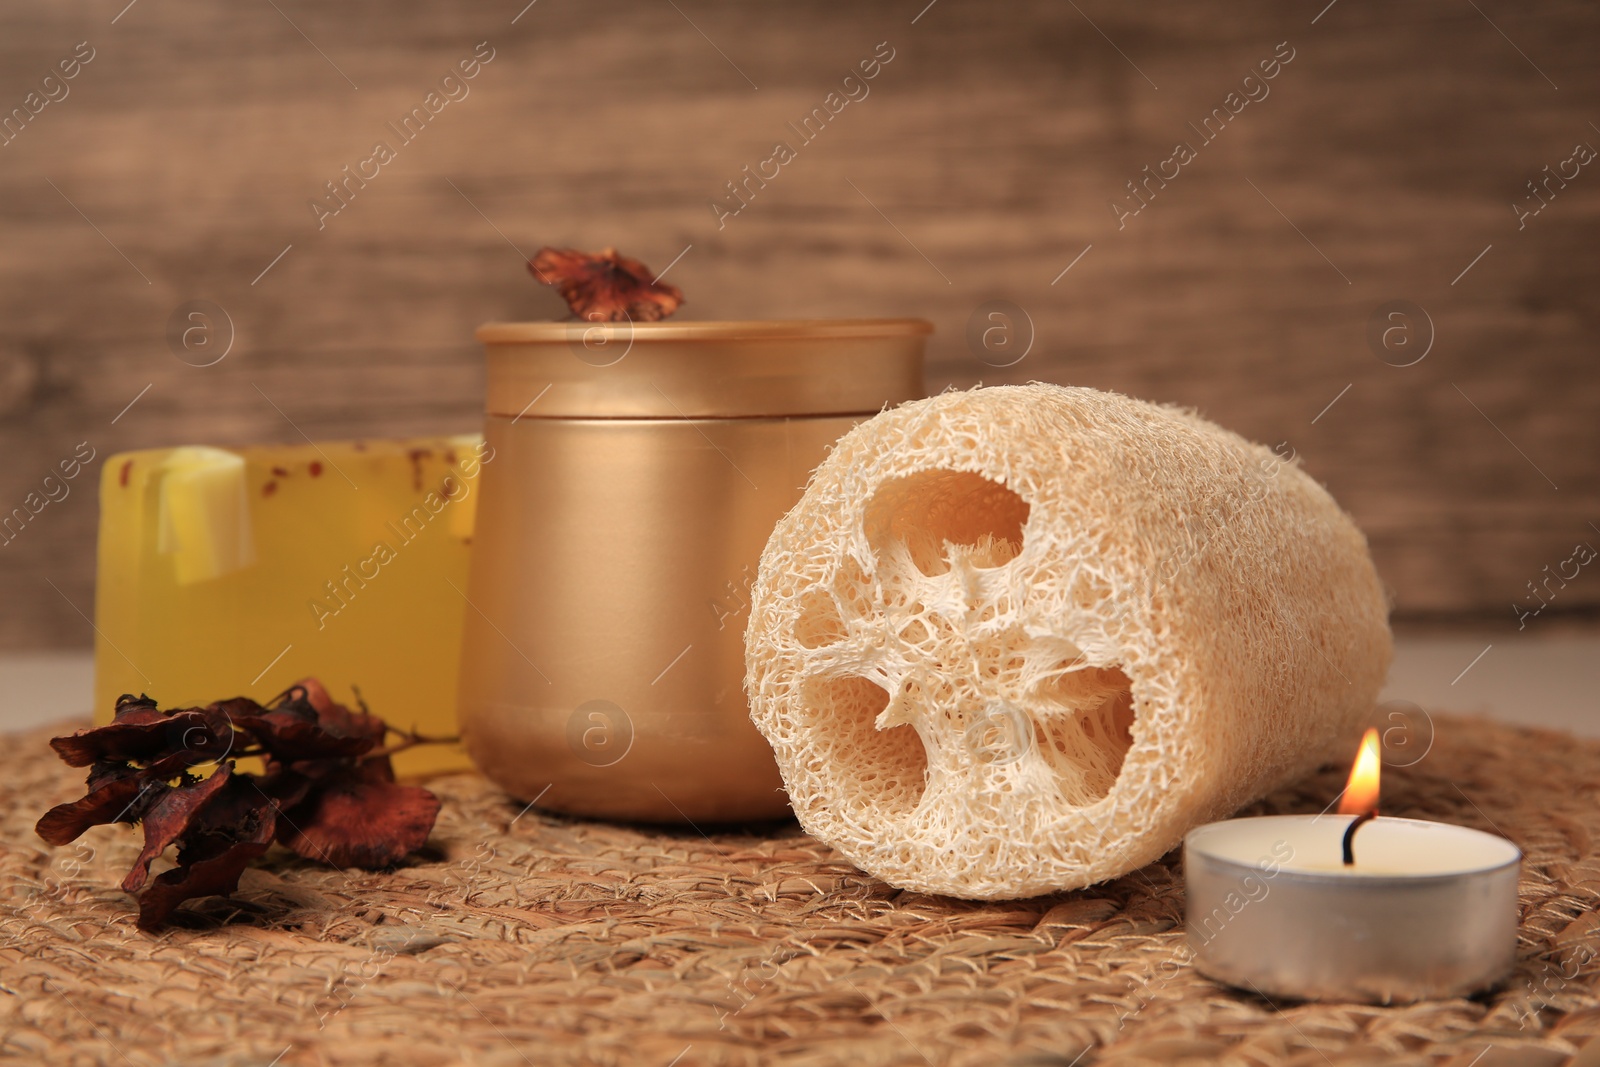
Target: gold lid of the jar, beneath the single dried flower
{"x":703,"y":369}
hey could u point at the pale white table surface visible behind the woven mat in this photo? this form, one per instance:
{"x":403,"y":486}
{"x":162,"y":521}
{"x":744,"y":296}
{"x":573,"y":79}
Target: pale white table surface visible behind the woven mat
{"x":1538,"y":681}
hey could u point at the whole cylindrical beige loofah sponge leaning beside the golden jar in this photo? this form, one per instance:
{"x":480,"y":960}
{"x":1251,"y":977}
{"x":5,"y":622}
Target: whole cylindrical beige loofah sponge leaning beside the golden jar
{"x":1023,"y":639}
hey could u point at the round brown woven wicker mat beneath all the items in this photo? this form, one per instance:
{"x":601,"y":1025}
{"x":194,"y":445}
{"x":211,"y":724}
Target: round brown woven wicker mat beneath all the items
{"x":537,"y":940}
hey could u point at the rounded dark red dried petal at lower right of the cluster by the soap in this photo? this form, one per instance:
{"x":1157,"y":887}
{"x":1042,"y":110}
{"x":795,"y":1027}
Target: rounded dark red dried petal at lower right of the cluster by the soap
{"x":359,"y":818}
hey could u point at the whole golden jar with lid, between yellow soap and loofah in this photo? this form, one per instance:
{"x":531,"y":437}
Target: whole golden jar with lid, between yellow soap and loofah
{"x":636,"y":473}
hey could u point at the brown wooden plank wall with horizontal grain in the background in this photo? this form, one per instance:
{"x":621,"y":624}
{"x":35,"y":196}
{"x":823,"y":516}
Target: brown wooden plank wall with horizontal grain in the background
{"x":983,"y":162}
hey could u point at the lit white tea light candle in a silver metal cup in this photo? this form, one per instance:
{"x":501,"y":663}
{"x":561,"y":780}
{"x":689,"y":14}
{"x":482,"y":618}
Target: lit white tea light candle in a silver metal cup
{"x":1425,"y":911}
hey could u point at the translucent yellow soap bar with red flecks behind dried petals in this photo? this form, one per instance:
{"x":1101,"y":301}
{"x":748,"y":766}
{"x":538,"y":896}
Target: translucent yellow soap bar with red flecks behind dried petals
{"x":236,"y":572}
